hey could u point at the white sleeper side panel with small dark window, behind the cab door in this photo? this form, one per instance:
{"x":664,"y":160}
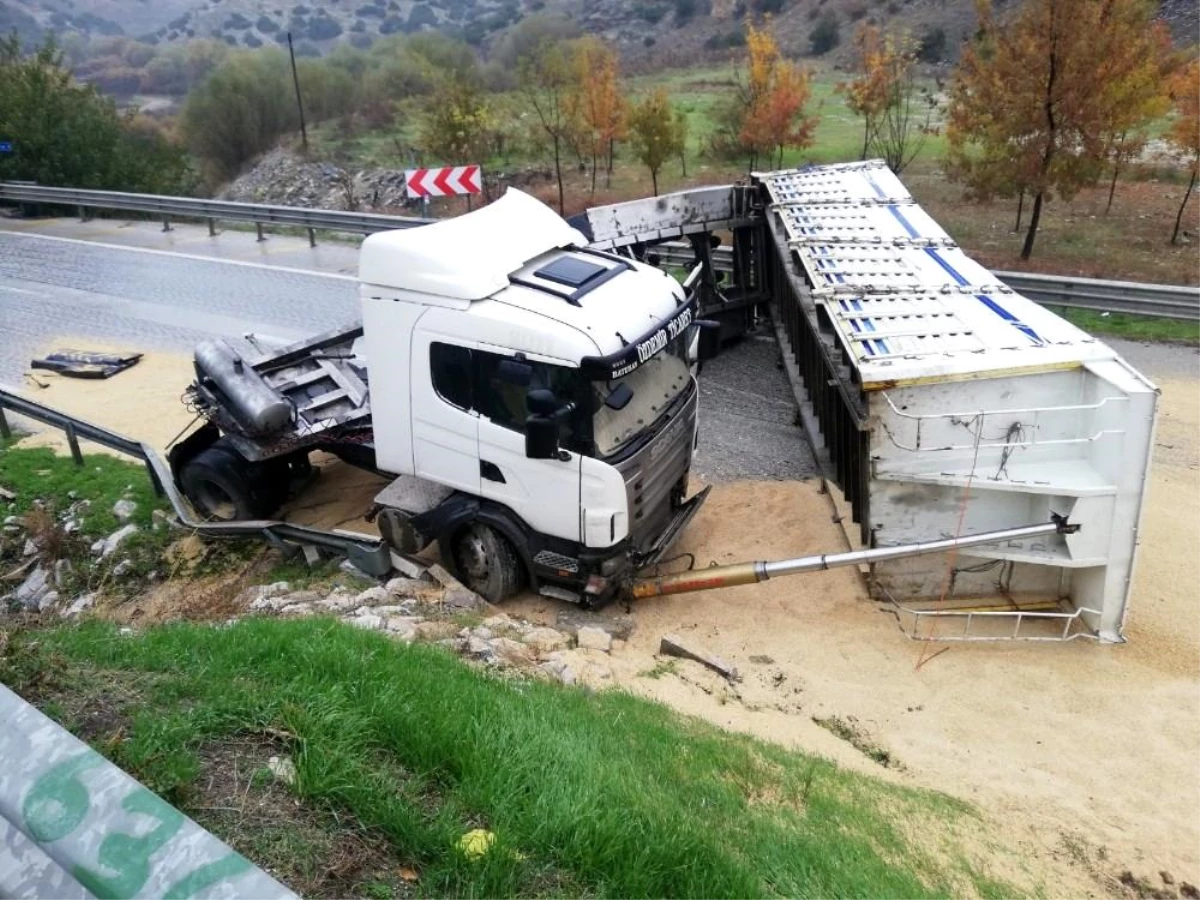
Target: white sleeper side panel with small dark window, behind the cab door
{"x":446,"y":428}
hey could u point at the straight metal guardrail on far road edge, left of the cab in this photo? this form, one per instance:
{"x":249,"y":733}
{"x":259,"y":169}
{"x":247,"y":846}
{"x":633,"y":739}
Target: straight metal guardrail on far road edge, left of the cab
{"x":179,"y":208}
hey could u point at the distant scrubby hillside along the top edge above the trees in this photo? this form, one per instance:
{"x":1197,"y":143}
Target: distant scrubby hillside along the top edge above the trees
{"x":663,"y":32}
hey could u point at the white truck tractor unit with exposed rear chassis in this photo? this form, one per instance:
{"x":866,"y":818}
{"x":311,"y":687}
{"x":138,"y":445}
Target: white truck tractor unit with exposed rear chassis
{"x":535,"y":399}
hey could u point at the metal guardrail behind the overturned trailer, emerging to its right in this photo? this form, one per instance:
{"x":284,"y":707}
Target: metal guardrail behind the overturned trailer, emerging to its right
{"x":1169,"y":302}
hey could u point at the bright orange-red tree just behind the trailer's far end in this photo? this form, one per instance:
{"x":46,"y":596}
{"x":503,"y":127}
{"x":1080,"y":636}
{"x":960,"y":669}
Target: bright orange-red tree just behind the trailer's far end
{"x":776,"y":95}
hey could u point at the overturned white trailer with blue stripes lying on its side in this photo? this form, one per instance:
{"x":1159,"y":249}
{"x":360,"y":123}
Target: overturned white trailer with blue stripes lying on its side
{"x":943,"y":401}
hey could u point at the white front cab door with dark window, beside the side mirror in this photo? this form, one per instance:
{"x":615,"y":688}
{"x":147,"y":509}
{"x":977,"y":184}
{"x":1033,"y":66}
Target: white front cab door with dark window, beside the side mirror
{"x":544,"y":493}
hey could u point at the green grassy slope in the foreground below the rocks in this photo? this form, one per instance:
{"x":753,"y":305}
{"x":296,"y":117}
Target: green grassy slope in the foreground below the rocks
{"x":589,"y":795}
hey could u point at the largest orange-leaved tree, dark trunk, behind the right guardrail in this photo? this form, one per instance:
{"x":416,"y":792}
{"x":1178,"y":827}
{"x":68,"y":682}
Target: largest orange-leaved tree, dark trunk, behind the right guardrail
{"x":1037,"y":97}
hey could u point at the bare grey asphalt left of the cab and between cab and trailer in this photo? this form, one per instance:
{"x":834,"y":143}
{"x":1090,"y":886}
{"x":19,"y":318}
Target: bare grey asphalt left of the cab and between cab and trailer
{"x":140,"y":301}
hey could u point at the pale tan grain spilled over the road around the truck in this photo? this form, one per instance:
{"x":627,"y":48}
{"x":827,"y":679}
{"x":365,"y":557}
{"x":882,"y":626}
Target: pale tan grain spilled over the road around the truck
{"x":1083,"y":758}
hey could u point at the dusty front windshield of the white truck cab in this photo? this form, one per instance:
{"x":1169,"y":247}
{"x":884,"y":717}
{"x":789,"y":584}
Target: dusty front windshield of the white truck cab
{"x":656,"y":385}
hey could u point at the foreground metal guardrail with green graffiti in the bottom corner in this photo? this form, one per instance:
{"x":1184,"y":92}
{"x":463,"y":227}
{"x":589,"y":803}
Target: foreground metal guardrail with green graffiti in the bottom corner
{"x":75,"y":827}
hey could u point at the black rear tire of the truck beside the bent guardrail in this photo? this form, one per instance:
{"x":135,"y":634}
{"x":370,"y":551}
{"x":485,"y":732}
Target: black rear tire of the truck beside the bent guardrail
{"x":225,"y":487}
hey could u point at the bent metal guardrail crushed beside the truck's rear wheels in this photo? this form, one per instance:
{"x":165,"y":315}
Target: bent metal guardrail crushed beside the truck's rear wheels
{"x":370,"y":555}
